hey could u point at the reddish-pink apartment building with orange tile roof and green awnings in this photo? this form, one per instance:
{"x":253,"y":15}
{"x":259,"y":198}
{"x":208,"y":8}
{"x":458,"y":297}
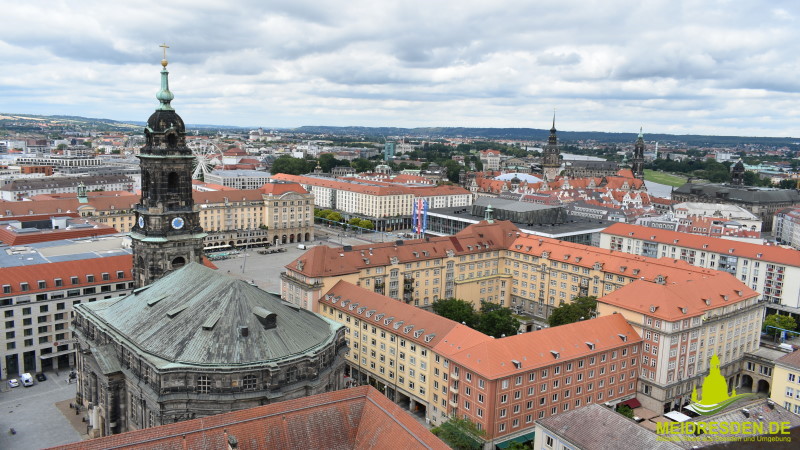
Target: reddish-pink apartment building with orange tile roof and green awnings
{"x":505,"y":385}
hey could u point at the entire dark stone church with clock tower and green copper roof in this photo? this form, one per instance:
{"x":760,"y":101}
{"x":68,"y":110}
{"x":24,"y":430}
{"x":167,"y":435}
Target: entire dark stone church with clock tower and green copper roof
{"x":189,"y":341}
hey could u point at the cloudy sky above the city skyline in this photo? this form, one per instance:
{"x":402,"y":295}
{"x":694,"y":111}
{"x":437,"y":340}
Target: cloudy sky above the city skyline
{"x":672,"y":66}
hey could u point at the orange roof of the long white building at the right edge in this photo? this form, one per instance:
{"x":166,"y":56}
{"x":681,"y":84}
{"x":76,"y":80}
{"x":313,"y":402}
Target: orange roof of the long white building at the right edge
{"x":724,"y":246}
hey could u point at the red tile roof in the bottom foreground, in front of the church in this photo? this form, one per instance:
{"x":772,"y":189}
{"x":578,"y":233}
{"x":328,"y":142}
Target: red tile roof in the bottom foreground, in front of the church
{"x":356,"y":418}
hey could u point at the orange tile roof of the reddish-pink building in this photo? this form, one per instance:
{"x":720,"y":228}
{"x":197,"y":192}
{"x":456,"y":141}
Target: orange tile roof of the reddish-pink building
{"x":493,"y":359}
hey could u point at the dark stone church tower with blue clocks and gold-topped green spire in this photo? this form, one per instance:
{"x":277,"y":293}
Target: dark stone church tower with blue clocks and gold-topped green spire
{"x":167,"y":234}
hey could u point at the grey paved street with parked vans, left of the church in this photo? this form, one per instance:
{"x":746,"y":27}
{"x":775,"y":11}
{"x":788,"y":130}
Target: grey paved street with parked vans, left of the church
{"x":33,"y":413}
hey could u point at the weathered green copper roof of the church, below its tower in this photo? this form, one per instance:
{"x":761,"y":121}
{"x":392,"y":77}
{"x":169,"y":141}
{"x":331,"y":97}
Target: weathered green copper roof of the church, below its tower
{"x":194,"y":315}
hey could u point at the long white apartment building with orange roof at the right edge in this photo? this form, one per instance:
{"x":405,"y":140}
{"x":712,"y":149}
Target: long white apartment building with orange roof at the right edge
{"x":771,"y":270}
